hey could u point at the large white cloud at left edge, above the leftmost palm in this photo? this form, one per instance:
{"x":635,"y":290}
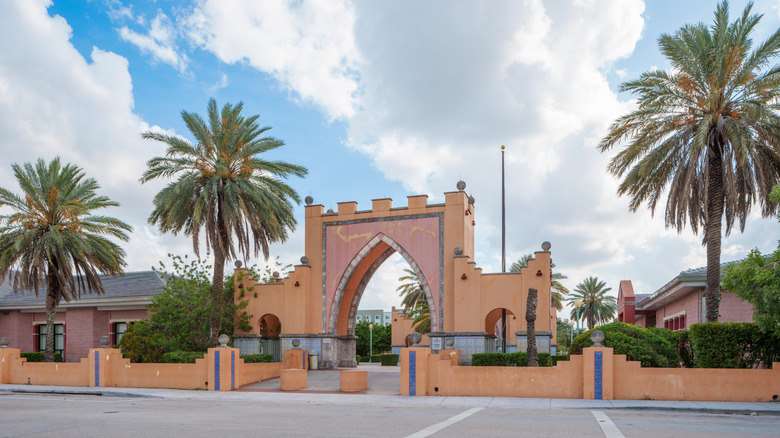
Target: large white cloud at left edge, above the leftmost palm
{"x":56,"y":103}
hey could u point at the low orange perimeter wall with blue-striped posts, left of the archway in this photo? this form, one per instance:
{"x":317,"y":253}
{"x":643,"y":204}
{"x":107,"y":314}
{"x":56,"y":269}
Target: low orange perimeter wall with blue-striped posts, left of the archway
{"x":220,"y":370}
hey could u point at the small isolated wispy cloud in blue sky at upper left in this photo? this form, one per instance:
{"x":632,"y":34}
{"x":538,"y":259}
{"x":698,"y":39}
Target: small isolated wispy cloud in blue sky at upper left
{"x":159,"y":42}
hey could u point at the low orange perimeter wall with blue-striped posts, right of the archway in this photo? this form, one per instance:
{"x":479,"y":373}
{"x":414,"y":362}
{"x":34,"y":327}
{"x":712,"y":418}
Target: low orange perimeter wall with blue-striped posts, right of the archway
{"x":596,"y":374}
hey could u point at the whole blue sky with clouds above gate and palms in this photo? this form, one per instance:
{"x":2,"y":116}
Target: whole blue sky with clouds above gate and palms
{"x":376,"y":99}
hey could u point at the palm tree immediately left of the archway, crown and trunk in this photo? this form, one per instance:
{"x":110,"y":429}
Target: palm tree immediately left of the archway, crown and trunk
{"x":224,"y":189}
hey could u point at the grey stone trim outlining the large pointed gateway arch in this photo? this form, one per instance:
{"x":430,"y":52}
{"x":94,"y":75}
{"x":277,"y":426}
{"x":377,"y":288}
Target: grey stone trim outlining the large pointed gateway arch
{"x":356,"y":262}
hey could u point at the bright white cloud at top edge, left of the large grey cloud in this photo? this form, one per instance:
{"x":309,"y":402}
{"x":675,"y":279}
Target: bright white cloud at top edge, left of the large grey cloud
{"x":308,"y":46}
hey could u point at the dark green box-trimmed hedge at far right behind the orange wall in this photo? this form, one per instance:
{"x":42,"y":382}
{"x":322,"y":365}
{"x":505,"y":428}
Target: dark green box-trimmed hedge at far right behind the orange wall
{"x":732,"y":345}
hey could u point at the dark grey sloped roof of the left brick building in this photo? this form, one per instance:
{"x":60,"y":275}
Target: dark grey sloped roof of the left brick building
{"x":133,"y":285}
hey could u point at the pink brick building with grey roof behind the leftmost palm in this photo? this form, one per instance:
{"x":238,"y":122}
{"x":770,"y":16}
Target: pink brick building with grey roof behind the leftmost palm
{"x":79,"y":324}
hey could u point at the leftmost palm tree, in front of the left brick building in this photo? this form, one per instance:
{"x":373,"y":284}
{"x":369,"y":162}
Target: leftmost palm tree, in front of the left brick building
{"x":53,"y":237}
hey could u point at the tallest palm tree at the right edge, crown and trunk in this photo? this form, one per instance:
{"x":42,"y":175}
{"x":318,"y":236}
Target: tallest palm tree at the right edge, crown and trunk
{"x":708,"y":130}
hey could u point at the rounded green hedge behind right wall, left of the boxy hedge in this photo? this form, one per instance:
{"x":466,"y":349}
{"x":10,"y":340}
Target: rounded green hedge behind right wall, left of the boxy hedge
{"x":653,"y":347}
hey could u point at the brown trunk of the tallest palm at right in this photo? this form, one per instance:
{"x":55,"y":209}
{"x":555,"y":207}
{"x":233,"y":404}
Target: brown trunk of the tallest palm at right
{"x":712,"y":230}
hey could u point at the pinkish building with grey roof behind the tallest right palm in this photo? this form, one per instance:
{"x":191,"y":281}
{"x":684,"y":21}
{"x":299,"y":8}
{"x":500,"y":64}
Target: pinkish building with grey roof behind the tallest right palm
{"x":678,"y":304}
